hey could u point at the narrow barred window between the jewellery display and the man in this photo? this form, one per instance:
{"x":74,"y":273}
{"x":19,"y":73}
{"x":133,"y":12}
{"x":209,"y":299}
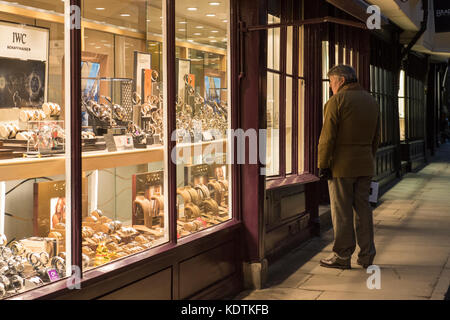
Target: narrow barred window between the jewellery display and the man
{"x":284,"y":101}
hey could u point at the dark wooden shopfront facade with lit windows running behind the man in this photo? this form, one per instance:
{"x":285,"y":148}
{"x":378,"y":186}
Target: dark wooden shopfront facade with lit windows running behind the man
{"x":121,"y":145}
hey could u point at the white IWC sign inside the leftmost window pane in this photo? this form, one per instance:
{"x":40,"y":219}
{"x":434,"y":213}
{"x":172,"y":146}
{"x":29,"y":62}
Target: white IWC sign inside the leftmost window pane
{"x":23,"y":42}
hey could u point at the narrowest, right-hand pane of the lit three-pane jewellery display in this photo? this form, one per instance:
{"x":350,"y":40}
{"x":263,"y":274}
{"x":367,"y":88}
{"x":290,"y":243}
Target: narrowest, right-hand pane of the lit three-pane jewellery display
{"x":202,"y":115}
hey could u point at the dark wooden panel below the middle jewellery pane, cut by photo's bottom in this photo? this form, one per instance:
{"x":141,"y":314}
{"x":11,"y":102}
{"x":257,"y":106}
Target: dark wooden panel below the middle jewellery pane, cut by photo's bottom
{"x":155,"y":287}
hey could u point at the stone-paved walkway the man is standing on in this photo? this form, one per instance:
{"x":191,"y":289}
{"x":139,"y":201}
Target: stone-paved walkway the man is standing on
{"x":412,"y":239}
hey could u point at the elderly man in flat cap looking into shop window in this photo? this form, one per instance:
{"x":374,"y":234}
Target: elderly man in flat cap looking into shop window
{"x":348,"y":143}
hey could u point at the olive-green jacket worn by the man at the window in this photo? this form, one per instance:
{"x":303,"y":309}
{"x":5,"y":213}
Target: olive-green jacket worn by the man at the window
{"x":351,"y":133}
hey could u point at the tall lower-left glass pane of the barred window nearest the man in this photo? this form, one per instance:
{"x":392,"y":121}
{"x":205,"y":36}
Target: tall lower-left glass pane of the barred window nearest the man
{"x":273,"y":125}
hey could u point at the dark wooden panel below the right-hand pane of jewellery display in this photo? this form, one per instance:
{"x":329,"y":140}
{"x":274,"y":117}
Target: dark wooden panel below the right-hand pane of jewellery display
{"x":201,"y":271}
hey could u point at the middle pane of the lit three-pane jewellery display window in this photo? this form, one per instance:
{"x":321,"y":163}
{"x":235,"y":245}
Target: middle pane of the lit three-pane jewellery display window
{"x":122,"y":130}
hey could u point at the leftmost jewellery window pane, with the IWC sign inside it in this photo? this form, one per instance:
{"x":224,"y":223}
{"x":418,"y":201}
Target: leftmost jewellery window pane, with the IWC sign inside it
{"x":33,"y":221}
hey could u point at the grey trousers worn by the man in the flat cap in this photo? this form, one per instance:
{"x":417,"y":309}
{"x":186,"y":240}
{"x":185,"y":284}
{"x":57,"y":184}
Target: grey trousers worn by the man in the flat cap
{"x":348,"y":195}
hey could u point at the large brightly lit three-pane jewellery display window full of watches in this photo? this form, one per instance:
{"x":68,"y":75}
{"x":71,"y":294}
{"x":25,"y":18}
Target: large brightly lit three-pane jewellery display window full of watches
{"x":125,"y":189}
